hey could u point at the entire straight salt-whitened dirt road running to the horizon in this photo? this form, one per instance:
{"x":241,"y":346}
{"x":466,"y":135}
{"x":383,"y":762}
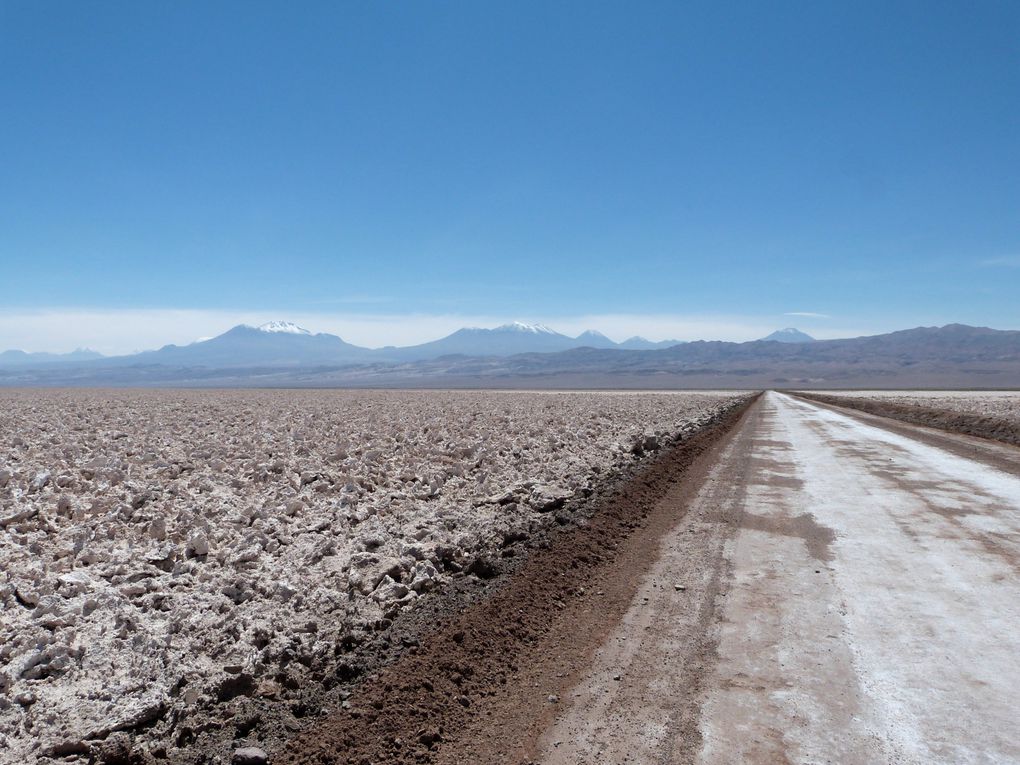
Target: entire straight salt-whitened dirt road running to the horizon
{"x":863,"y":607}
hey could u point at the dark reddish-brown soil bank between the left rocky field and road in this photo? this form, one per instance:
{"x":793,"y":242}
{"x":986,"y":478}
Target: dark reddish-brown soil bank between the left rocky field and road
{"x":484,"y":685}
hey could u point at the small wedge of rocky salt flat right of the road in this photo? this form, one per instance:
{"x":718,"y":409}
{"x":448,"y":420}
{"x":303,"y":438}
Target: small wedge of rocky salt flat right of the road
{"x":989,"y":415}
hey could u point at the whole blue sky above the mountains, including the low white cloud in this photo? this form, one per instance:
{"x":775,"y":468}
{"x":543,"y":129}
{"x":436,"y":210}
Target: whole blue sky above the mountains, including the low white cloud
{"x":392,"y":170}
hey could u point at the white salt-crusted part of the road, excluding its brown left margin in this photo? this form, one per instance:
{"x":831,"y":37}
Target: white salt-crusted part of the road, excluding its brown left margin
{"x":927,"y":600}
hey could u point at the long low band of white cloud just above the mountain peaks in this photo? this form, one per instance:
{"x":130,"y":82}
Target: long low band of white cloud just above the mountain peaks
{"x":125,"y":331}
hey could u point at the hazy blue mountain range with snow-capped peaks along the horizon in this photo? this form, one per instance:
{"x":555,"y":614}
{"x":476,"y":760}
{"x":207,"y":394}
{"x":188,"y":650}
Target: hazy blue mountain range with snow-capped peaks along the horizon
{"x":534,"y":356}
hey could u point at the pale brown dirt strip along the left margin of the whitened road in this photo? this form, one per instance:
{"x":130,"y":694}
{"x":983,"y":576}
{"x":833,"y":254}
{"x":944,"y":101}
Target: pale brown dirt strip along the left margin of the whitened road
{"x":639,"y":699}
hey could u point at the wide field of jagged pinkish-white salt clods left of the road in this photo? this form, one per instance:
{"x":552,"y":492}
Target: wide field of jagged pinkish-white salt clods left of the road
{"x":174,"y":560}
